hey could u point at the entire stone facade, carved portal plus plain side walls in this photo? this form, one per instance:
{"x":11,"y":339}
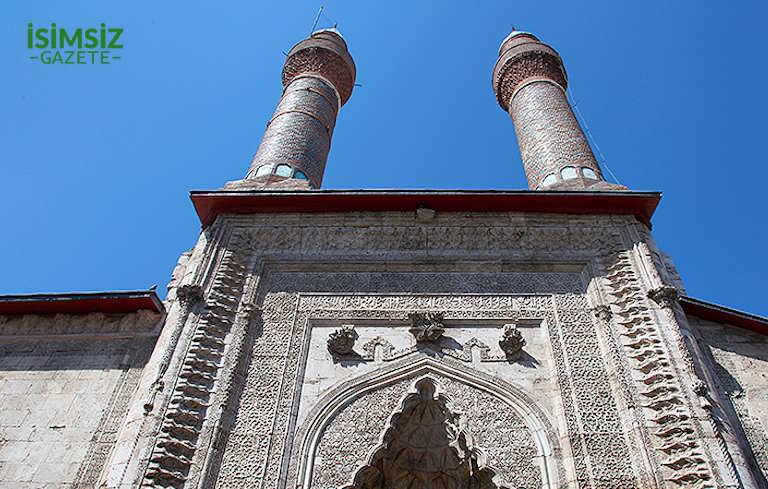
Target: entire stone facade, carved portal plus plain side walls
{"x":612,"y":385}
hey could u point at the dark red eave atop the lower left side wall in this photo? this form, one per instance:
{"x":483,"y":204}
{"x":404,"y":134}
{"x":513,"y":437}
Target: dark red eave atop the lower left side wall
{"x":107,"y":302}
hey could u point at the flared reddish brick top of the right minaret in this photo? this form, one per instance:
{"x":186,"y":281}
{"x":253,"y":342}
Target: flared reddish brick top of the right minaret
{"x":522,"y":56}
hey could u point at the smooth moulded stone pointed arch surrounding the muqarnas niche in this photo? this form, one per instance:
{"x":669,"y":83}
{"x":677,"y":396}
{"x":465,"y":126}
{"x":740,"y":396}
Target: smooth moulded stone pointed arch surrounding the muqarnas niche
{"x":416,"y":366}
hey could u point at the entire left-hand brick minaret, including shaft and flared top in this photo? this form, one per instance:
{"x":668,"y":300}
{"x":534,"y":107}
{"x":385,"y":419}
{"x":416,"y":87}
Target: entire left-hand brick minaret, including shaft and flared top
{"x":318,"y":78}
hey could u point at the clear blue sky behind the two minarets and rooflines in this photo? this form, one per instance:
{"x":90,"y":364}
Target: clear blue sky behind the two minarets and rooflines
{"x":97,"y":161}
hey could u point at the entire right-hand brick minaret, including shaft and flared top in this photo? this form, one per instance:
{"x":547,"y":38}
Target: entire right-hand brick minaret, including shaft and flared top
{"x":530,"y":81}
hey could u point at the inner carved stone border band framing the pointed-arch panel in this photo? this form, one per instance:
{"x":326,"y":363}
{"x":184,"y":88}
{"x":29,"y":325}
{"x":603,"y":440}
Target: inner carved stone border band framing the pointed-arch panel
{"x":542,"y":306}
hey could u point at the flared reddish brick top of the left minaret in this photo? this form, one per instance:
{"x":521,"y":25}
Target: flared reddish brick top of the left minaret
{"x":323,"y":53}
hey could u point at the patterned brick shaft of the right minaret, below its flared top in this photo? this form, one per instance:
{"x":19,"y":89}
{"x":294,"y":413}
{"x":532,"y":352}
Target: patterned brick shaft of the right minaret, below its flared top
{"x":549,"y":135}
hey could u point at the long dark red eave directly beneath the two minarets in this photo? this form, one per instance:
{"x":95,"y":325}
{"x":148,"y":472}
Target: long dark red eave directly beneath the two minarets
{"x":210,"y":204}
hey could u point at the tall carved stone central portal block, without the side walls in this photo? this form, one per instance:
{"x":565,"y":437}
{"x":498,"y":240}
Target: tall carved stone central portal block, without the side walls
{"x":605,"y":393}
